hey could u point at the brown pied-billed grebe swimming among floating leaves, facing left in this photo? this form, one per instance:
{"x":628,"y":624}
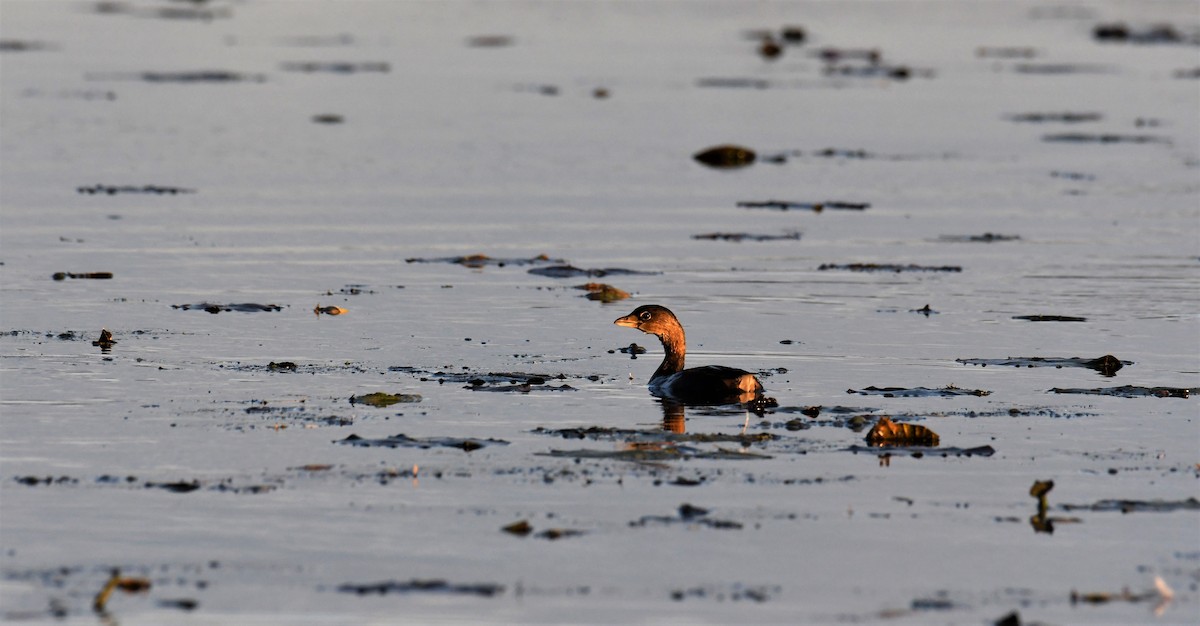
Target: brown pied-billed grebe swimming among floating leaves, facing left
{"x":709,"y":384}
